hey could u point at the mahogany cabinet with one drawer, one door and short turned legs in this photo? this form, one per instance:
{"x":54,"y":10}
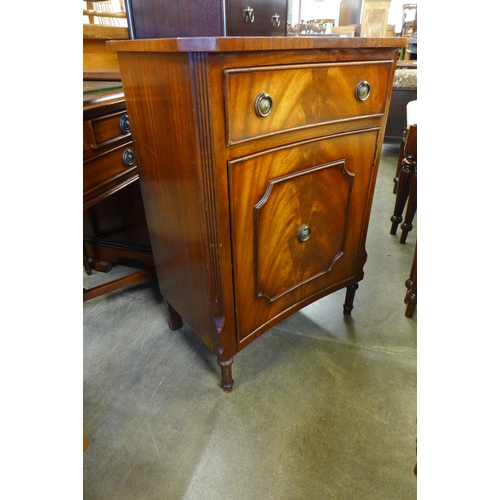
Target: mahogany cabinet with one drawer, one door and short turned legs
{"x":257,"y":160}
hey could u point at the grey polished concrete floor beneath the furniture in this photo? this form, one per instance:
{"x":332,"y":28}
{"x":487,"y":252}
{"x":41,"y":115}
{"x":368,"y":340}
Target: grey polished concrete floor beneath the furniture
{"x":323,"y":406}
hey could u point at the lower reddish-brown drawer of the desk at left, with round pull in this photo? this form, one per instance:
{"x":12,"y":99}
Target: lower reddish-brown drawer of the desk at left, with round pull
{"x":108,"y":169}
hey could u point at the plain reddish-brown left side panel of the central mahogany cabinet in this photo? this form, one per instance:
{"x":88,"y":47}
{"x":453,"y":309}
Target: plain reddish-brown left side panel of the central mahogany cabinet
{"x":158,"y":95}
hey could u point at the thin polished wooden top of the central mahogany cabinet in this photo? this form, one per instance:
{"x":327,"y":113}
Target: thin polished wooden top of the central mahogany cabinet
{"x":243,"y":44}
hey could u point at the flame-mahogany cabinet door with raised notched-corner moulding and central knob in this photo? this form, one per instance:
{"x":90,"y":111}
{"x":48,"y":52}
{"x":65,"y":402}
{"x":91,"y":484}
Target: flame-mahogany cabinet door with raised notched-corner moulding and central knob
{"x":298,"y":224}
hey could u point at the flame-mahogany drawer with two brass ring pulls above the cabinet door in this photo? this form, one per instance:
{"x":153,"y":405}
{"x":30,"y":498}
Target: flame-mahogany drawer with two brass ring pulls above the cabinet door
{"x":301,"y":96}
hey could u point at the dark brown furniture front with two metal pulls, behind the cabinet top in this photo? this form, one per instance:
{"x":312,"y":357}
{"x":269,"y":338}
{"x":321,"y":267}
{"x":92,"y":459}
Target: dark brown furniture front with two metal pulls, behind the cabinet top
{"x":255,"y":17}
